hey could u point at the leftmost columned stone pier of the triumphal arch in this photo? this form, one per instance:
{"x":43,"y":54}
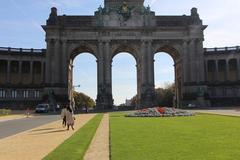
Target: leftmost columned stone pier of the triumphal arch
{"x":55,"y":90}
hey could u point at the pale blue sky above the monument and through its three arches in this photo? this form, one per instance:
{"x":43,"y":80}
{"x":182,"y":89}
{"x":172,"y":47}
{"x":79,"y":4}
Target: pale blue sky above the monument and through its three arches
{"x":21,"y":20}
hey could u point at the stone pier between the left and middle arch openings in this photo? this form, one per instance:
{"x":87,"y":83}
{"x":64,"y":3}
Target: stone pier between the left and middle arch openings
{"x":104,"y":95}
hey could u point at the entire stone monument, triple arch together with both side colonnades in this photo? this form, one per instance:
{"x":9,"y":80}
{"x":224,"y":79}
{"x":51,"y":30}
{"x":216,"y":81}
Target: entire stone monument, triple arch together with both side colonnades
{"x":203,"y":76}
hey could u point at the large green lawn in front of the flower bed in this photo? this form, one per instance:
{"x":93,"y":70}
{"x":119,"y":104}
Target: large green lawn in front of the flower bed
{"x":202,"y":137}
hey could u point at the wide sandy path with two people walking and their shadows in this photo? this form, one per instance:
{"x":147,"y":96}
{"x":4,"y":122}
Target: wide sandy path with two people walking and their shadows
{"x":36,"y":143}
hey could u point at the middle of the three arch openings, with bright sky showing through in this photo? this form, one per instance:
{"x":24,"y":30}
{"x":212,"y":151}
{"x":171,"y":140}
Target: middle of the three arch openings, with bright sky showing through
{"x":124,"y":78}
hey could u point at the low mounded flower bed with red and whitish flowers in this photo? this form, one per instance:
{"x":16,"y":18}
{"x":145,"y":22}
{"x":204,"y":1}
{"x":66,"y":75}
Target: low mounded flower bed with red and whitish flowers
{"x":160,"y":112}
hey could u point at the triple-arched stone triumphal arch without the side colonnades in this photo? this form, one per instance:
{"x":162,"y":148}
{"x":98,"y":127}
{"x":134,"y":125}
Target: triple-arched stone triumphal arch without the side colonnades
{"x":125,"y":26}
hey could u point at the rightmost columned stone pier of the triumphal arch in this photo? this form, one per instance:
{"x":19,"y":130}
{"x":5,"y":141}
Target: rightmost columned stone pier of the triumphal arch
{"x":196,"y":85}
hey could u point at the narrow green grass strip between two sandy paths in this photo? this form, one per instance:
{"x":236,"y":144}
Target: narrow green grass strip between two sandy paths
{"x":76,"y":146}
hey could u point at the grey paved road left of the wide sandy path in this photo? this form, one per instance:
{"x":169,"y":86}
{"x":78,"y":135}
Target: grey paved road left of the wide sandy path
{"x":12,"y":127}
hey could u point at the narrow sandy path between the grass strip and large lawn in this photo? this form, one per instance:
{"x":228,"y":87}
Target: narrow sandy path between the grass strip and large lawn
{"x":99,"y":147}
